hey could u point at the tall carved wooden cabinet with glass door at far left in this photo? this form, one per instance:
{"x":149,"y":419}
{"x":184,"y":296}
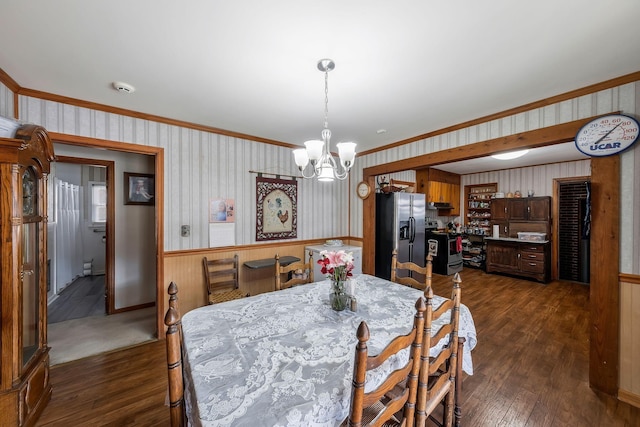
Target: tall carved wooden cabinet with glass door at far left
{"x":25,"y":389}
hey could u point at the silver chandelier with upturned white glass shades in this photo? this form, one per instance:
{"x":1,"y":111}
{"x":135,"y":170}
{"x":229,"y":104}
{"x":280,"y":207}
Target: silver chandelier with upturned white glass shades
{"x":323,"y":165}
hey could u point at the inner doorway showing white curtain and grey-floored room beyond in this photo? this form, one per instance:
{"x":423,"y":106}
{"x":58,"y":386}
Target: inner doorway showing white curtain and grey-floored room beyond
{"x":82,"y":213}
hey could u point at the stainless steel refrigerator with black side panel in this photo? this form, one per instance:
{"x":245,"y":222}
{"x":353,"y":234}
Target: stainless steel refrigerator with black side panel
{"x":399,"y":225}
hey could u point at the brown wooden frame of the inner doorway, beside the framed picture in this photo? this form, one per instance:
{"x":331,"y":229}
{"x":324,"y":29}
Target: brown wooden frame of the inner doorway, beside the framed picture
{"x":110,"y":226}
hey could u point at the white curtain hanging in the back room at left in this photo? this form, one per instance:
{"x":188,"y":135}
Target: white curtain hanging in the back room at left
{"x":68,"y":243}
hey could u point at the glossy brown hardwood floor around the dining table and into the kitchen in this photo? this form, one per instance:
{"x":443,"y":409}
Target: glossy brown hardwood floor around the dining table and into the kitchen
{"x":531,"y":366}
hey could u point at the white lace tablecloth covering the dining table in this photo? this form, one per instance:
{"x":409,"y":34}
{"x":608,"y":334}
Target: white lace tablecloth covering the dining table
{"x":285,"y":358}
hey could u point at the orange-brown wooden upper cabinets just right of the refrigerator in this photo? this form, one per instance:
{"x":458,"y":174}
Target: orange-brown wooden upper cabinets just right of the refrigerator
{"x":440,"y":188}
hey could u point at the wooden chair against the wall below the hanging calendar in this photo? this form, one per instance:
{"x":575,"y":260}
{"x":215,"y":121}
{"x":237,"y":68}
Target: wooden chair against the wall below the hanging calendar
{"x":221,"y":279}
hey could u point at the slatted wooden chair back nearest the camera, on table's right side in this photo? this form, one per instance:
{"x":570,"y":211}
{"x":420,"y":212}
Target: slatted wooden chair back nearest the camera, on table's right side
{"x":399,"y":390}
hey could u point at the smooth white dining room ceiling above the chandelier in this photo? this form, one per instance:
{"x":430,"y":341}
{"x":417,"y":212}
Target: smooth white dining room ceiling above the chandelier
{"x":249,"y":66}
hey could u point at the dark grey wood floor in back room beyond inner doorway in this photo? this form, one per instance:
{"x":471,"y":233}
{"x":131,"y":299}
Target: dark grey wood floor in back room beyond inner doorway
{"x":82,"y":298}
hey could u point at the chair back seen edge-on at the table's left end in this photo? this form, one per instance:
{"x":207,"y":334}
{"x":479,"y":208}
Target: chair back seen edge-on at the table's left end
{"x":174,"y":360}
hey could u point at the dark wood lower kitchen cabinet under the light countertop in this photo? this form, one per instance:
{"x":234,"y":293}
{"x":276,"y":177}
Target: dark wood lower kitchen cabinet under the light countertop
{"x":519,"y":258}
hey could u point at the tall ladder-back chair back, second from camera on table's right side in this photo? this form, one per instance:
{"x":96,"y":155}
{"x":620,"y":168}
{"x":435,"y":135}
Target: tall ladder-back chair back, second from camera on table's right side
{"x":438,"y":374}
